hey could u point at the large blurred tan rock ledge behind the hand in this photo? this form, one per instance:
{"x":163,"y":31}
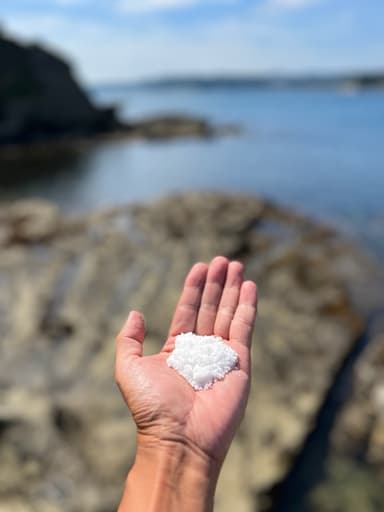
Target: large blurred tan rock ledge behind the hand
{"x":66,"y":439}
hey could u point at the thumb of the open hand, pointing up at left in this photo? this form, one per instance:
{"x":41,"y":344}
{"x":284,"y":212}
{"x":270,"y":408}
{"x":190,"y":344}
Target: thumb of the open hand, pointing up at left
{"x":129,"y":342}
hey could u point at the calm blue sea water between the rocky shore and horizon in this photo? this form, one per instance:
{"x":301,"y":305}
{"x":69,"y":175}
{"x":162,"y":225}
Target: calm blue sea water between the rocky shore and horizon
{"x":318,"y":151}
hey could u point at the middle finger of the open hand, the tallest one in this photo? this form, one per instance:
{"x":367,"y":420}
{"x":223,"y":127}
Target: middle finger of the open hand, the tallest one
{"x":211,"y":296}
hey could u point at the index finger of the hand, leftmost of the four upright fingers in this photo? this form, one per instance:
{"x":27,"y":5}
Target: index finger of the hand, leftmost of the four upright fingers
{"x":184,"y":319}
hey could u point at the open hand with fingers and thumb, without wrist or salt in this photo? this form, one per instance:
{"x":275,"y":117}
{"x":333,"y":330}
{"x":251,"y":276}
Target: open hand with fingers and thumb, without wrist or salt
{"x":214,"y":300}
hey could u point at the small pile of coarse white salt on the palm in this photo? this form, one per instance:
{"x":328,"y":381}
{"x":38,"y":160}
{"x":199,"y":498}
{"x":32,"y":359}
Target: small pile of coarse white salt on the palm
{"x":202,"y":360}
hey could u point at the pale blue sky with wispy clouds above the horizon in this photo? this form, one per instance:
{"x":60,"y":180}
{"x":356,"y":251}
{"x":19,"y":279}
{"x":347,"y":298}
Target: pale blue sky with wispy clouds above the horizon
{"x":116,"y":40}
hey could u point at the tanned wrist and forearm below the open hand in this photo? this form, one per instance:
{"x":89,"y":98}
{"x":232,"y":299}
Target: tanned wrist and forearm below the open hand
{"x":169,"y":477}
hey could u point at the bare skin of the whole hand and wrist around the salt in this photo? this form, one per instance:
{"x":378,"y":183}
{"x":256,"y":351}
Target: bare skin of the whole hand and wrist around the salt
{"x":183,"y":435}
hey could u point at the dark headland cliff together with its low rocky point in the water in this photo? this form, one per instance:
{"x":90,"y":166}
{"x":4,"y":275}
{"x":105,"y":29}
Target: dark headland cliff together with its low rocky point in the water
{"x":41,"y":101}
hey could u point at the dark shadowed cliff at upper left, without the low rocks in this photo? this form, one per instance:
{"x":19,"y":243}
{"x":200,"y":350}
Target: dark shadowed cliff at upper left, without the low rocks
{"x":40,"y":99}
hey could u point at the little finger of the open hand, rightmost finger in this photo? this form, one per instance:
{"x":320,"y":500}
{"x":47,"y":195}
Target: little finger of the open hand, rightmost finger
{"x":243,"y":321}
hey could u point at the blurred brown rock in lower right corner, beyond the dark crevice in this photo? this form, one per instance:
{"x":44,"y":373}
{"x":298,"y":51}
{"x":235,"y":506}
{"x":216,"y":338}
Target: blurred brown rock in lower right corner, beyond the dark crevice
{"x":354,"y":476}
